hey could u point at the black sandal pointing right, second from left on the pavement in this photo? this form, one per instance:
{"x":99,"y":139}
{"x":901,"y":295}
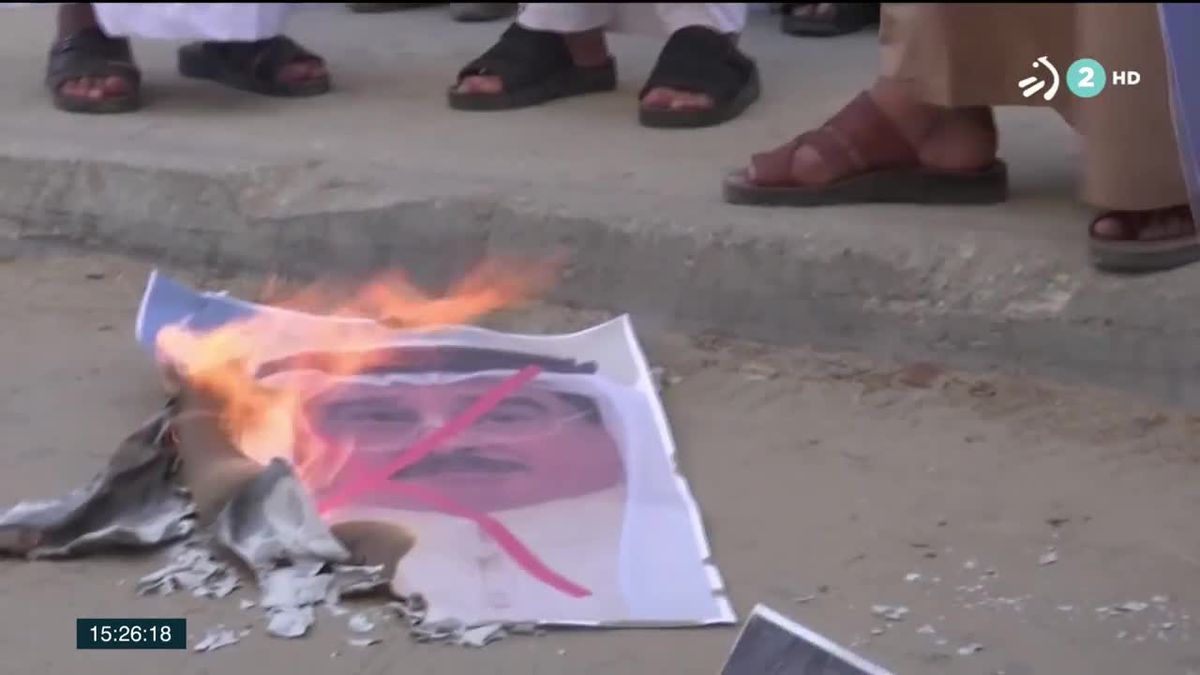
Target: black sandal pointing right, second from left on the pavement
{"x":251,"y":67}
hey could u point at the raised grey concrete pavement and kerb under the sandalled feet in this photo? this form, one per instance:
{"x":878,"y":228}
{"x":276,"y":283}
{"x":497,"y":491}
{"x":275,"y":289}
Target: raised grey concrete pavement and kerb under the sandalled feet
{"x":382,"y":174}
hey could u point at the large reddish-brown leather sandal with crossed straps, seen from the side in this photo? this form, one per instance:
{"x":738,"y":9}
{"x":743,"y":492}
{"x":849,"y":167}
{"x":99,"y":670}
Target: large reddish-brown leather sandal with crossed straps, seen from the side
{"x":878,"y":163}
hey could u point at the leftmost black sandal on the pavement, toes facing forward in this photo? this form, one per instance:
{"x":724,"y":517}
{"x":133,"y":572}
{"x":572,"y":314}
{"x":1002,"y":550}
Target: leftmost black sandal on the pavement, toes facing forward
{"x":93,"y":55}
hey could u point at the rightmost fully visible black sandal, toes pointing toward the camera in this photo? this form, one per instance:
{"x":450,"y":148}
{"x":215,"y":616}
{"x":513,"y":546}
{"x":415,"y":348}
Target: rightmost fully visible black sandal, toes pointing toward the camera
{"x":703,"y":61}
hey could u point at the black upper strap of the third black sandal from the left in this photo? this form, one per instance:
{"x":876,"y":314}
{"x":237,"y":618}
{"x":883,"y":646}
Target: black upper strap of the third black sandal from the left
{"x":523,"y":57}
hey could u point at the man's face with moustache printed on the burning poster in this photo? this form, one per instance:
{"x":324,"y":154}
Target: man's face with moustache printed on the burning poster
{"x":536,"y":446}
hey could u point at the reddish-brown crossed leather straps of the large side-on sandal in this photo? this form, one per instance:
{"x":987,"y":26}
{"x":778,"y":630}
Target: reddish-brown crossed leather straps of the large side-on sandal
{"x":859,"y":139}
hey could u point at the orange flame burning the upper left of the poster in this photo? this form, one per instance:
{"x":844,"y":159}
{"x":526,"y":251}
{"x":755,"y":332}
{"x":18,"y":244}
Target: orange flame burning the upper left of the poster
{"x":262,"y":421}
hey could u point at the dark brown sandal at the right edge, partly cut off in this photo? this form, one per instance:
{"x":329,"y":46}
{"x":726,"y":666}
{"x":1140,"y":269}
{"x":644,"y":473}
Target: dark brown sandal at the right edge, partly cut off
{"x":1139,"y":249}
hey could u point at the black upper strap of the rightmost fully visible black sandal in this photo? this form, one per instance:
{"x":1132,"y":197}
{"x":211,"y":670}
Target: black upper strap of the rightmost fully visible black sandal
{"x":703,"y":61}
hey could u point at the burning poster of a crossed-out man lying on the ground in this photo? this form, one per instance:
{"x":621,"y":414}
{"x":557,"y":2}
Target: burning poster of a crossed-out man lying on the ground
{"x":530,"y":479}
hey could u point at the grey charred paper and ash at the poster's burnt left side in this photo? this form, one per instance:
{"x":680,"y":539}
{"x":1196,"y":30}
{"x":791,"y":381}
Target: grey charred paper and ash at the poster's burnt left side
{"x":271,"y":527}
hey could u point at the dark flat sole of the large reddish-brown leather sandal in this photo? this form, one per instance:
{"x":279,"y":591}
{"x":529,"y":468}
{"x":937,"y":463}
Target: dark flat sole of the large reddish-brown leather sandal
{"x":892,"y":187}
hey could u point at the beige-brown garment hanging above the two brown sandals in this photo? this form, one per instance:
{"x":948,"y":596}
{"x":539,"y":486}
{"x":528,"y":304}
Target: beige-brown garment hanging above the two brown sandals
{"x":975,"y":55}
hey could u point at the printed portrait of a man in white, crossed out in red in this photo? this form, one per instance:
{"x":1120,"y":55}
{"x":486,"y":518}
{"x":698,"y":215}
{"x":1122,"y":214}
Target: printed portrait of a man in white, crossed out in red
{"x":523,"y":507}
